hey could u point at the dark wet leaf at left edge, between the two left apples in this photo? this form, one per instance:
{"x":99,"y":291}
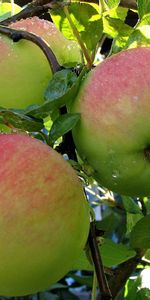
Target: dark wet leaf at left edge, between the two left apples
{"x":21,"y":121}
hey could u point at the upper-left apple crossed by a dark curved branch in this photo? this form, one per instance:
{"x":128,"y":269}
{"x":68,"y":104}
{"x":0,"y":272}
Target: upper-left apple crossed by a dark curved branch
{"x":25,"y":69}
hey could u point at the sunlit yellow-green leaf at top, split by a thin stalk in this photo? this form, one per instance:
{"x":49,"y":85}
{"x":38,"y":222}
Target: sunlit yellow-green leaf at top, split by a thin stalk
{"x":86,"y":18}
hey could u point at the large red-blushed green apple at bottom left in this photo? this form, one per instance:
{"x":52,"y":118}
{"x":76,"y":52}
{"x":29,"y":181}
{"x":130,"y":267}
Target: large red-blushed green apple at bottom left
{"x":44,"y":216}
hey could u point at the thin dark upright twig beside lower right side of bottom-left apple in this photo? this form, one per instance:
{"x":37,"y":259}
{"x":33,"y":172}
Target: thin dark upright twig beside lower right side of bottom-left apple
{"x":99,"y":269}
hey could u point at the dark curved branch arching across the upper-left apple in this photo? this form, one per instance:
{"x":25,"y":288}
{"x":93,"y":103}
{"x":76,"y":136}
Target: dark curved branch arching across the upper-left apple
{"x":17,"y":35}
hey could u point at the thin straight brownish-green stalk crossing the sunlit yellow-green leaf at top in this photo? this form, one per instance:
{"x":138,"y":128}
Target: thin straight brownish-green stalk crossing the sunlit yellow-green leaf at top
{"x":77,"y":35}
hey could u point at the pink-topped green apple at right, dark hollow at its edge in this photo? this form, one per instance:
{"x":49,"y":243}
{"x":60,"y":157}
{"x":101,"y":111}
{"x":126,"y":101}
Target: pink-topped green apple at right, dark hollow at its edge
{"x":113,"y":135}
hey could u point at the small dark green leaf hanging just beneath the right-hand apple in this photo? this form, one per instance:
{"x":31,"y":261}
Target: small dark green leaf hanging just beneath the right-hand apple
{"x":130,"y":205}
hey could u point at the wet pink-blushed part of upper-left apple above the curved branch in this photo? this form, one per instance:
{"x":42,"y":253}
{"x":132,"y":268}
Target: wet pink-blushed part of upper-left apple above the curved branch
{"x":67,"y":52}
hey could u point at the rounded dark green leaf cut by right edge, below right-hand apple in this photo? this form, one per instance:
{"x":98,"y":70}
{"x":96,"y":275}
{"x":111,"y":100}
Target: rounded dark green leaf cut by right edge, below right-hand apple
{"x":140,"y":234}
